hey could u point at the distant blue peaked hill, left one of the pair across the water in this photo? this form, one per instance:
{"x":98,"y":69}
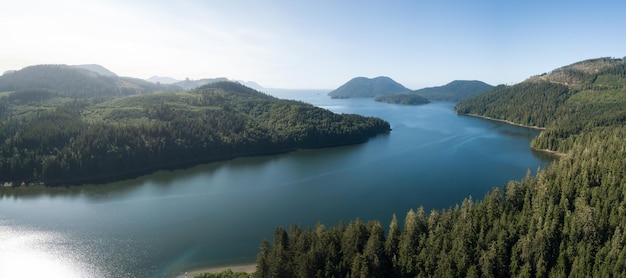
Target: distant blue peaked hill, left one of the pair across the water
{"x":366,"y":87}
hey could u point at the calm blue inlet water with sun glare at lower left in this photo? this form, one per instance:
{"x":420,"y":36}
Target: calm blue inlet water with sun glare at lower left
{"x":168,"y":222}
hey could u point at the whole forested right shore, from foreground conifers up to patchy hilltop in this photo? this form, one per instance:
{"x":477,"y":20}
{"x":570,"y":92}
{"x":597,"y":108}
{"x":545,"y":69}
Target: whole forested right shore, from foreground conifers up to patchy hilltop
{"x":567,"y":221}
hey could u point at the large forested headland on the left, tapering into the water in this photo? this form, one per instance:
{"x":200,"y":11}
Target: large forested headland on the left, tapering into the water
{"x":64,"y":125}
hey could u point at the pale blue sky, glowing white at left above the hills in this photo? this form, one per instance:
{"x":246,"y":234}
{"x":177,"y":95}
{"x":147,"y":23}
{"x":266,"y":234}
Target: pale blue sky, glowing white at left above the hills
{"x":313,"y":44}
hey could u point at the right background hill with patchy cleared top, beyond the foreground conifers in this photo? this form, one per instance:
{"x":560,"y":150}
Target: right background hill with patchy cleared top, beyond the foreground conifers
{"x":568,"y":102}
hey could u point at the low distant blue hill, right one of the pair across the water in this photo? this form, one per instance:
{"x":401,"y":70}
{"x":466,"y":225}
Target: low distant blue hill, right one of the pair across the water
{"x":454,"y":91}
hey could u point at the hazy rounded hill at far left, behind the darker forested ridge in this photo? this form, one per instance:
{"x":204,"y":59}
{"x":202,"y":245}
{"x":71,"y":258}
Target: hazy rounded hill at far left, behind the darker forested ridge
{"x":74,"y":81}
